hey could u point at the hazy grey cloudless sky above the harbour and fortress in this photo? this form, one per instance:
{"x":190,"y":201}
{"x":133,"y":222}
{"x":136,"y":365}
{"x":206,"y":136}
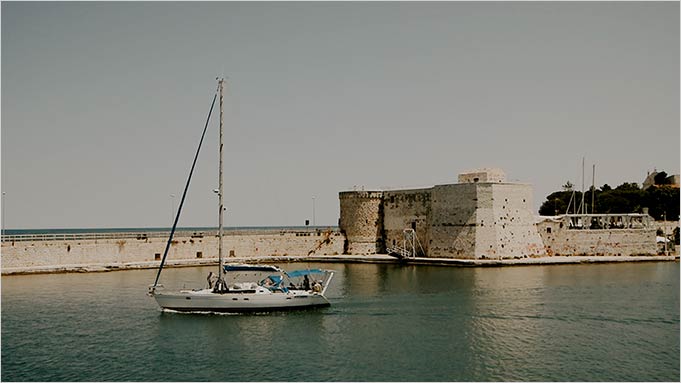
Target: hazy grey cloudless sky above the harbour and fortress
{"x":103,"y":104}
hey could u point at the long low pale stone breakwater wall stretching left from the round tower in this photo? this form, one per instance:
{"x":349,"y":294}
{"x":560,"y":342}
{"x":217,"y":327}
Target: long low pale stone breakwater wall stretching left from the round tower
{"x":76,"y":251}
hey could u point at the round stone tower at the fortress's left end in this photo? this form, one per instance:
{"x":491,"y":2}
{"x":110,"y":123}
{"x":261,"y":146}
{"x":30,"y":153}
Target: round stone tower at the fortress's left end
{"x":361,"y":220}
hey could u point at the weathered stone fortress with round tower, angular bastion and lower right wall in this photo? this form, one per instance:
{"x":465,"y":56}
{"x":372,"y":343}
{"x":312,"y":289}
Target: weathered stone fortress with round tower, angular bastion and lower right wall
{"x":483,"y":217}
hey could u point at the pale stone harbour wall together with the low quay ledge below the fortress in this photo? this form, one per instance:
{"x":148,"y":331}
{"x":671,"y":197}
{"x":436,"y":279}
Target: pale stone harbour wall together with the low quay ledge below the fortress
{"x":49,"y":253}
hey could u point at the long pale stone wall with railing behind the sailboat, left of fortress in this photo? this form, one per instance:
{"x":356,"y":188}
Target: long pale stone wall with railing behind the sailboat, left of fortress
{"x":17,"y":255}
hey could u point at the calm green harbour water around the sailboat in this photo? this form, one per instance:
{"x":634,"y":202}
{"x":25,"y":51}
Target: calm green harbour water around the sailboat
{"x":614,"y":322}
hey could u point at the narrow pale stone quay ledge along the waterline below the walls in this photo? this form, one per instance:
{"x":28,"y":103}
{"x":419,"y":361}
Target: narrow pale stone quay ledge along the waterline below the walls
{"x":377,"y":258}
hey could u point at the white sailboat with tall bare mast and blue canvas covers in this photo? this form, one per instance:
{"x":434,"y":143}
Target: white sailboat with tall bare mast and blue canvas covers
{"x":241,"y":287}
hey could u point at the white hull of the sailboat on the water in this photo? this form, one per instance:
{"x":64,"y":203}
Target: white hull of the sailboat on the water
{"x":207,"y":301}
